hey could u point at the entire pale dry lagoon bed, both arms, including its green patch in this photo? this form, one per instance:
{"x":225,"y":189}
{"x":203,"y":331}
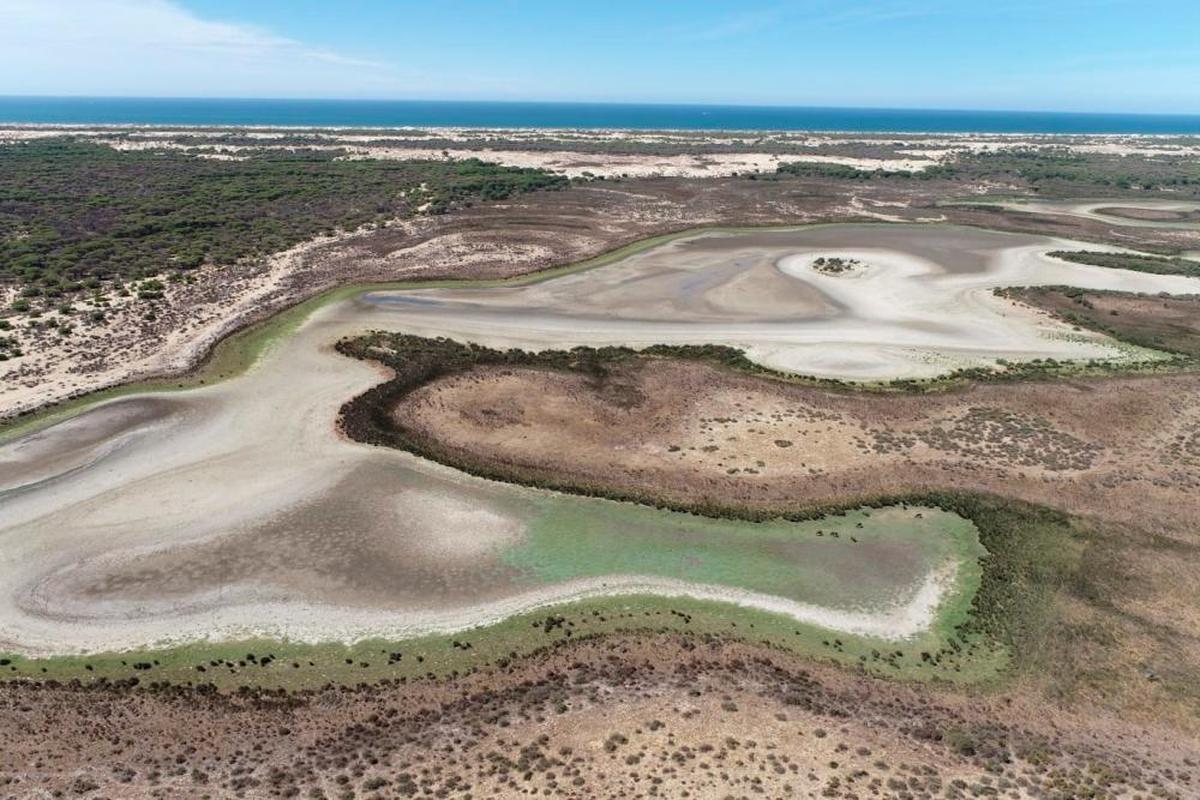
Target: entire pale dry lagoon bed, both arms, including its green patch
{"x":238,"y":509}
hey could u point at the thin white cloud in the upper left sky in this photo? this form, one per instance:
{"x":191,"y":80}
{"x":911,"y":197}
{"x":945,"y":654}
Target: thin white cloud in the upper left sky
{"x":160,"y":49}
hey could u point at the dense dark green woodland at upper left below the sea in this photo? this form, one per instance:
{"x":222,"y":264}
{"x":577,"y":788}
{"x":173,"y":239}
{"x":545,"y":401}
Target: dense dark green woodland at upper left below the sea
{"x":74,"y":215}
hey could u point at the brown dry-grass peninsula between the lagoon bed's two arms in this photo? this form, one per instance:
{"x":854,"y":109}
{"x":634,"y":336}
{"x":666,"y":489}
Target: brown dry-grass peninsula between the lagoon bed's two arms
{"x":689,"y":430}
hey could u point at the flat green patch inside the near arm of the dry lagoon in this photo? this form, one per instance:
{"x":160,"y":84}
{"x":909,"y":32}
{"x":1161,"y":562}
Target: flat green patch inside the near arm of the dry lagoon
{"x":860,"y":561}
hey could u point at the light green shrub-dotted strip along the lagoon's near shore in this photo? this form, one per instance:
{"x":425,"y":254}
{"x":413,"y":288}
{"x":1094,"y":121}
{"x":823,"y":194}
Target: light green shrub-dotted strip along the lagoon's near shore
{"x":293,"y":666}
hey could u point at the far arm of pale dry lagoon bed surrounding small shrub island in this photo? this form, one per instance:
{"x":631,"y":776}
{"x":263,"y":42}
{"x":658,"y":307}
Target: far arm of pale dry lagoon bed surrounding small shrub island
{"x":921,"y":305}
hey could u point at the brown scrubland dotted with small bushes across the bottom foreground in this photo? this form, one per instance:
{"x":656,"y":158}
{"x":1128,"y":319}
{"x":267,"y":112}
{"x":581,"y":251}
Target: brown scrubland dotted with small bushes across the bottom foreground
{"x":625,"y":718}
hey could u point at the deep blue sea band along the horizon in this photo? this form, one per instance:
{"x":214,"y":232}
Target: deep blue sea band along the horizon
{"x":356,"y":113}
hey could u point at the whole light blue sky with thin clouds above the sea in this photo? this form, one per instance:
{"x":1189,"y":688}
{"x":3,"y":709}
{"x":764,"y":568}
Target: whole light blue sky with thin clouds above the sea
{"x":1081,"y":56}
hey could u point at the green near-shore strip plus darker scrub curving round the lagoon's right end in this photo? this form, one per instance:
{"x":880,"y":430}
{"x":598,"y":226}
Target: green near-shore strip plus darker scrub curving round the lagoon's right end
{"x":1035,"y":556}
